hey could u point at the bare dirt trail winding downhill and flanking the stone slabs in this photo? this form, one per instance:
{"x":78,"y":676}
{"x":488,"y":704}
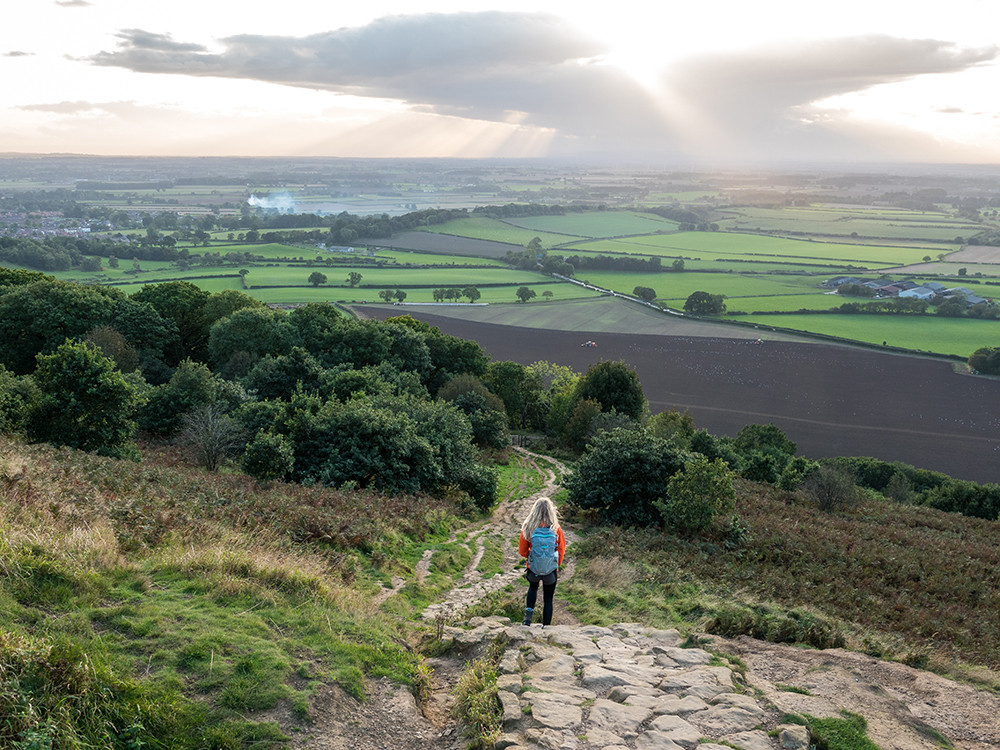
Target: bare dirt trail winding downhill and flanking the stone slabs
{"x":906,"y":709}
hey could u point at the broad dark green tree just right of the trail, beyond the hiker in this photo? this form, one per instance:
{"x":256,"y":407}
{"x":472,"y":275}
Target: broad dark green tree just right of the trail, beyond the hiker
{"x":622,"y":474}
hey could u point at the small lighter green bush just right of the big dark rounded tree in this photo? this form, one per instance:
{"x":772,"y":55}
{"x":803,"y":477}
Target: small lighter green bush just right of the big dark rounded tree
{"x":697,"y":494}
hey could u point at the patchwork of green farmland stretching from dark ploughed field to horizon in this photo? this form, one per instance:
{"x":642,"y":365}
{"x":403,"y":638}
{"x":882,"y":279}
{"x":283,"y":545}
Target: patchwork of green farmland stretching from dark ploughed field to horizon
{"x":766,"y":250}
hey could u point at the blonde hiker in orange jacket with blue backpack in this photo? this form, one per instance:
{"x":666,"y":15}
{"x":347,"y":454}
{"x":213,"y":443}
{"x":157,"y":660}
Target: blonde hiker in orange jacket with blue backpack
{"x":543,"y":544}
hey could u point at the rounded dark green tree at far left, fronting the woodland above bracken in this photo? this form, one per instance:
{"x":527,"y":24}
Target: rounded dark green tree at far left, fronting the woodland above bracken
{"x":85,"y":402}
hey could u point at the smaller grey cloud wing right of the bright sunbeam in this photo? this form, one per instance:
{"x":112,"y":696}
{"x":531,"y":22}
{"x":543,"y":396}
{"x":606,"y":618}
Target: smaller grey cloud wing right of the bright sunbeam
{"x":766,"y":101}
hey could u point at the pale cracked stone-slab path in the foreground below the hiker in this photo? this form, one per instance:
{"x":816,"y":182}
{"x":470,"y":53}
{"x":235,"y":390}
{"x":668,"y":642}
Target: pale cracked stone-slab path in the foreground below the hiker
{"x":620,"y":688}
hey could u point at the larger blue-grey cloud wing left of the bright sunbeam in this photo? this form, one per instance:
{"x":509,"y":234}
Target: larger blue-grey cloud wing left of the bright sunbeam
{"x":504,"y":67}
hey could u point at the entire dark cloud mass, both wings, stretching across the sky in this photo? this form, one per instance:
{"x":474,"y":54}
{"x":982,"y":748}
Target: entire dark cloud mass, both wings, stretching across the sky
{"x":537,"y":69}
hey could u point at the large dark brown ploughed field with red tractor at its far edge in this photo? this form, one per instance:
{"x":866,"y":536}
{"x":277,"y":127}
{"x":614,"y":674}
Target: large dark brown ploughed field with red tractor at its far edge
{"x":831,"y":400}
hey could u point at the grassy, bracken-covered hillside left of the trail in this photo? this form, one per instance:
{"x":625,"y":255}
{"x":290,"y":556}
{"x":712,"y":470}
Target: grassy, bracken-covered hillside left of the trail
{"x":151,"y":600}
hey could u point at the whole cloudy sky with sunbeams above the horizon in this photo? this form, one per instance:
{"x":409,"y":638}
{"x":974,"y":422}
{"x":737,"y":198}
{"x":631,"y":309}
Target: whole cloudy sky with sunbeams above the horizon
{"x":699,"y":84}
